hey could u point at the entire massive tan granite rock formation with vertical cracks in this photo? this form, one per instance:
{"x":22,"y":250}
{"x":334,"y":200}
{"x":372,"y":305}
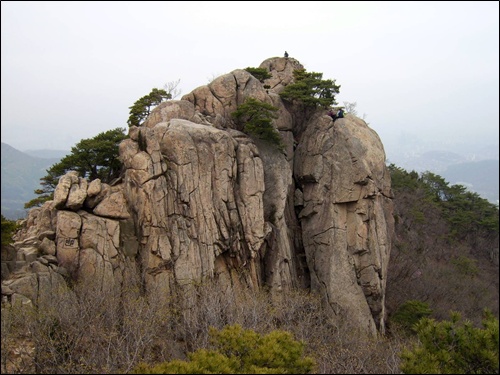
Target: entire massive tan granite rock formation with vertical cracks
{"x":200,"y":199}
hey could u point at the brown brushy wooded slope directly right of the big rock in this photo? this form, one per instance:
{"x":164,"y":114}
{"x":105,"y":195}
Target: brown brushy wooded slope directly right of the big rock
{"x":446,"y":248}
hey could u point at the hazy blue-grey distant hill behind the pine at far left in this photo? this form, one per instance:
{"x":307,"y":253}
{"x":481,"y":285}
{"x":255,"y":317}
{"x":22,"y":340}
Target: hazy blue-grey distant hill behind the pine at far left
{"x":21,"y":175}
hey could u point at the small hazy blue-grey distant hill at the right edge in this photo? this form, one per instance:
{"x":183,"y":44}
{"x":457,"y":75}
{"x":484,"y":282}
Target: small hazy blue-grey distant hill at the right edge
{"x":481,"y":177}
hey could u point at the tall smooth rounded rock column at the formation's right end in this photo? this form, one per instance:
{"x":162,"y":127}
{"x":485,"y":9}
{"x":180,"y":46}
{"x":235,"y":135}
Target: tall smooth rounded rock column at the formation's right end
{"x":346,"y":216}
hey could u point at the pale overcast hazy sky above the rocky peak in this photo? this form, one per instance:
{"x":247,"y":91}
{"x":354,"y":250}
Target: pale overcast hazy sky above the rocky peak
{"x":71,"y":70}
